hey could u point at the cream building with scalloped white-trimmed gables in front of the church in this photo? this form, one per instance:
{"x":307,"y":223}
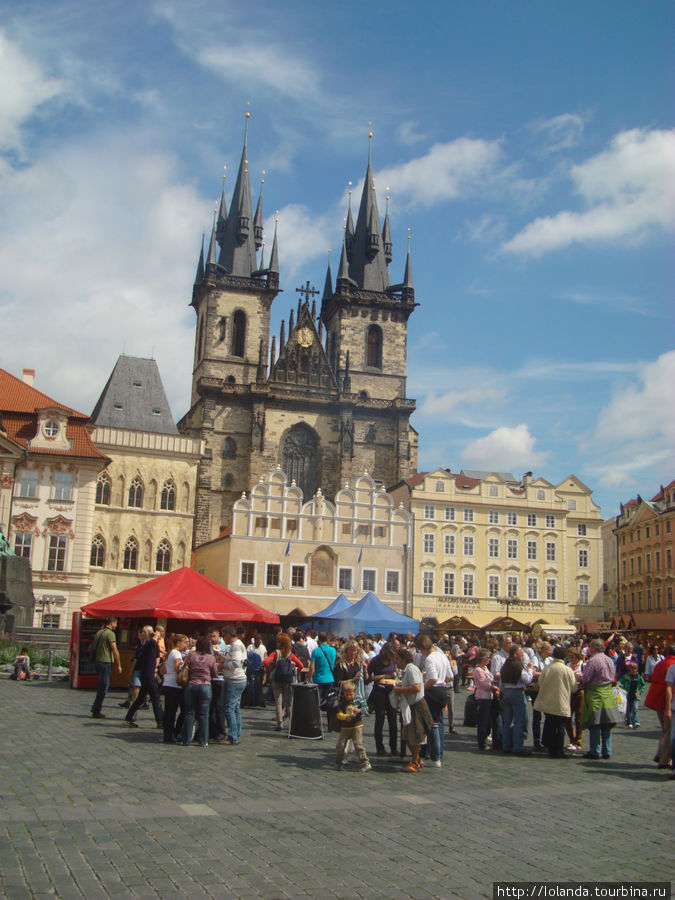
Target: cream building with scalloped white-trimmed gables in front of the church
{"x":292,"y":556}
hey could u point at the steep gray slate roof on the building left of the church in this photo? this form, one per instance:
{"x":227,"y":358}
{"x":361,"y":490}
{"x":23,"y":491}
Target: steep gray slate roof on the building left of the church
{"x":134,"y":398}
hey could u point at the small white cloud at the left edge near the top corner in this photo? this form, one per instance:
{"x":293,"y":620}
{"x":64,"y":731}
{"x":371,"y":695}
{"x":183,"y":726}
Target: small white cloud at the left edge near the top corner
{"x":24,"y":90}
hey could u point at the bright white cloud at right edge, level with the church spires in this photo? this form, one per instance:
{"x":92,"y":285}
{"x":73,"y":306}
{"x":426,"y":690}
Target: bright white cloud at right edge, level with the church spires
{"x":629,"y":190}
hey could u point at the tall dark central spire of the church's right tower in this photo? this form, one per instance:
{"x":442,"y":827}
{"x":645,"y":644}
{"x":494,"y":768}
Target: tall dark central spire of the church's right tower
{"x":368,"y":265}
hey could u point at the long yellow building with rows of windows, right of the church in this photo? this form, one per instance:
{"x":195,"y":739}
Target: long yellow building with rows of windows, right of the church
{"x":487,"y":545}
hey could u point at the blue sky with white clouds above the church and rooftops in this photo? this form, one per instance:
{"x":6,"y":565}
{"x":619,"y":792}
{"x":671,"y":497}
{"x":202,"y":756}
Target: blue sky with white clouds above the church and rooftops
{"x":529,"y":154}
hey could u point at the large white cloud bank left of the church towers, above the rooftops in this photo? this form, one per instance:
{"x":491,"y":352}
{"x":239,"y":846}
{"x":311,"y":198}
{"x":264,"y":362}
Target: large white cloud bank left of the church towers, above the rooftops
{"x":97,"y":251}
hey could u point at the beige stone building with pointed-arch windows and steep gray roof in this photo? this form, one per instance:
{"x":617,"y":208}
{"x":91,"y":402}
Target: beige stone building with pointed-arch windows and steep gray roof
{"x":143,"y":509}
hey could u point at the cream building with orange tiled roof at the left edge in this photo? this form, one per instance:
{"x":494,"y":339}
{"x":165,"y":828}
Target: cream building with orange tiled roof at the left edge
{"x":47,"y":494}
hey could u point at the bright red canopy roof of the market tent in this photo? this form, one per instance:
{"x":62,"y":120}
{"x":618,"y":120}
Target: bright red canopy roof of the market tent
{"x":182,"y":594}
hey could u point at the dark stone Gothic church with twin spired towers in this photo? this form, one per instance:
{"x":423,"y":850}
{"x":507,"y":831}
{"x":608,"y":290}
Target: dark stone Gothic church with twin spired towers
{"x":326,"y":401}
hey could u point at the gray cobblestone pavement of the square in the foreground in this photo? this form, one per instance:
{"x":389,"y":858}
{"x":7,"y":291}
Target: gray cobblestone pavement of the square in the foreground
{"x":91,"y":809}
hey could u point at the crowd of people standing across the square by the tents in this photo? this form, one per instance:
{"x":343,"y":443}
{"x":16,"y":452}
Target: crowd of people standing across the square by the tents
{"x":407,"y":683}
